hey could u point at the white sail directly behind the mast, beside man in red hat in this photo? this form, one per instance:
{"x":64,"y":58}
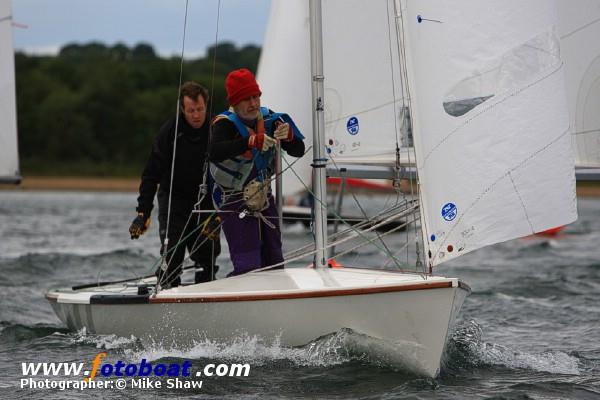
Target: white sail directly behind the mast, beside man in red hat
{"x":365,"y":114}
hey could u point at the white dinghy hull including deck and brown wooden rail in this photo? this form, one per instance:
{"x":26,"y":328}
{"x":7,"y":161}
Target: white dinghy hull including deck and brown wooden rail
{"x":409,"y":314}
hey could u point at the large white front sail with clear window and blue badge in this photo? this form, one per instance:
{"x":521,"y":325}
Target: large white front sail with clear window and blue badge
{"x":491,"y":124}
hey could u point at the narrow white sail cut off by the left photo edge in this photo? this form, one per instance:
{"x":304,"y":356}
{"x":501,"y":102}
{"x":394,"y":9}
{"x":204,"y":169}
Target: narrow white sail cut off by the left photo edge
{"x":9,"y":157}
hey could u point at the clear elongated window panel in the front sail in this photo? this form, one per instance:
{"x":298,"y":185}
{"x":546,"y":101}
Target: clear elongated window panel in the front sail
{"x":513,"y":70}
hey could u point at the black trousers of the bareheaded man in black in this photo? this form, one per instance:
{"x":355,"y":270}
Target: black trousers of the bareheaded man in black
{"x":185,"y":233}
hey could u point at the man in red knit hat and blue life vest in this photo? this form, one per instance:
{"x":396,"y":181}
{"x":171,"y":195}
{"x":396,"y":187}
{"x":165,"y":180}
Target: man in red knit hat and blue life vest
{"x":242,"y":164}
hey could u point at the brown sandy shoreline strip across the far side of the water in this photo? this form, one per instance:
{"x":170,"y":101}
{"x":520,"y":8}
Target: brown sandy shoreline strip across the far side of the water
{"x":111,"y":184}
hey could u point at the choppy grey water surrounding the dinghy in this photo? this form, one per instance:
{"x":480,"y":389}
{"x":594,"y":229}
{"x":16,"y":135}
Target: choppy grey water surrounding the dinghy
{"x":529,"y":330}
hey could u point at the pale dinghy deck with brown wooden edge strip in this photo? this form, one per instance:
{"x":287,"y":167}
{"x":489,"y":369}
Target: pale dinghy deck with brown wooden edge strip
{"x":265,"y":285}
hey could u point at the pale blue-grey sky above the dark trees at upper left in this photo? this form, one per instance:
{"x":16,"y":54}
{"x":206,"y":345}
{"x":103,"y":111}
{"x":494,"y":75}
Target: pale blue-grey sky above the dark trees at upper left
{"x":53,"y":23}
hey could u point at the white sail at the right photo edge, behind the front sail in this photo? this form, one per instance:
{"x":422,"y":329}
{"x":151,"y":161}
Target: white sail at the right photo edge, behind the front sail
{"x":579,"y":29}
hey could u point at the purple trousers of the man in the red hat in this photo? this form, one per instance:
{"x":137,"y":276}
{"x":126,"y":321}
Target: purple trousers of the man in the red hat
{"x":252,"y":243}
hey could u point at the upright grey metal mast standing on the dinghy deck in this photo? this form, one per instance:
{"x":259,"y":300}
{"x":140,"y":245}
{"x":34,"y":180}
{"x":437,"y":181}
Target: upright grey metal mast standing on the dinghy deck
{"x":318,"y":119}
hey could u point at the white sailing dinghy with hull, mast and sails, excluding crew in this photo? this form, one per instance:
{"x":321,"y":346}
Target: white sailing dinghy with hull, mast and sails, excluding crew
{"x":485,"y":87}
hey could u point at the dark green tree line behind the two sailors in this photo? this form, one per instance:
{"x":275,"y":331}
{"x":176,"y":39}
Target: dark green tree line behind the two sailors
{"x":94,"y":109}
